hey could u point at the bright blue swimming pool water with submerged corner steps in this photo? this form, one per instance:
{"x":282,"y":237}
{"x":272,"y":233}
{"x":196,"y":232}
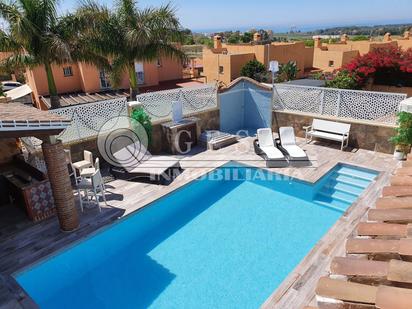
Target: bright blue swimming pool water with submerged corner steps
{"x":212,"y":244}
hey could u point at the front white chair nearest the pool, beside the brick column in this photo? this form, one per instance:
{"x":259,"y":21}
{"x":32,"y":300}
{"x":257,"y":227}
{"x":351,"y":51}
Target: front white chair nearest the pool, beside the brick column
{"x":92,"y":187}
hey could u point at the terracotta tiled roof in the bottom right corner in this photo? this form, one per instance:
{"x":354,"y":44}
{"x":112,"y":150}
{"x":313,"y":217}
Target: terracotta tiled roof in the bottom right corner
{"x":377,"y":269}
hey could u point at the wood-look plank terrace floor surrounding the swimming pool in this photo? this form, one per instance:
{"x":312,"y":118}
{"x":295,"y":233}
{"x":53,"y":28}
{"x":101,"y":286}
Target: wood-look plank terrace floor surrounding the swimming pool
{"x":23,"y":243}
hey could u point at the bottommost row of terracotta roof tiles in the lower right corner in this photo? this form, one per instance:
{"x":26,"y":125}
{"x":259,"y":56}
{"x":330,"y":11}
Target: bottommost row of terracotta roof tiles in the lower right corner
{"x":334,"y":293}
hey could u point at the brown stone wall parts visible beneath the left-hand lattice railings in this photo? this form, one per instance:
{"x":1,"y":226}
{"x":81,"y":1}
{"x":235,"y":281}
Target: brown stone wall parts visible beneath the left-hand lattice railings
{"x":208,"y":120}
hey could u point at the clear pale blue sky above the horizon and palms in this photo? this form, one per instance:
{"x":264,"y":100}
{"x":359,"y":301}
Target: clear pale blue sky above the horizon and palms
{"x":279,"y":15}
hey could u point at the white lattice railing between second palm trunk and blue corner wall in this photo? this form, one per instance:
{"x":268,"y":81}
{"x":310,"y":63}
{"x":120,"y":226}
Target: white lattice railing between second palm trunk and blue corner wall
{"x":195,"y":99}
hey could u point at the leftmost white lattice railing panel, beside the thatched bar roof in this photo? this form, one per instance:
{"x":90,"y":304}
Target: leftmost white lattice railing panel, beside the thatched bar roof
{"x":87,"y":119}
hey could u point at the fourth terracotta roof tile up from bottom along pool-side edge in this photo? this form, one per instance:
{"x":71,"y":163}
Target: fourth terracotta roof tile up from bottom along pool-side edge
{"x":382,"y":229}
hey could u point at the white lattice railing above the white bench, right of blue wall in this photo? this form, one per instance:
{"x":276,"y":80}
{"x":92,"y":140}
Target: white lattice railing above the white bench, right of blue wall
{"x":355,"y":104}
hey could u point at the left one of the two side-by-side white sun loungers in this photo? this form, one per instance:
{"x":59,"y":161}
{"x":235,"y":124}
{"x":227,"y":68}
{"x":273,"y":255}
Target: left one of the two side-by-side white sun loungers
{"x":265,"y":147}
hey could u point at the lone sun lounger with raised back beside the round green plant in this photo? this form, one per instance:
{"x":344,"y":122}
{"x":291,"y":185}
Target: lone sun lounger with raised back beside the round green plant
{"x":141,"y":164}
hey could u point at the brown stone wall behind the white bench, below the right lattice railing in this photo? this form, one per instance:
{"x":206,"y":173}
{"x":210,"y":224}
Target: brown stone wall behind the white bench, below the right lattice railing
{"x":363,"y":134}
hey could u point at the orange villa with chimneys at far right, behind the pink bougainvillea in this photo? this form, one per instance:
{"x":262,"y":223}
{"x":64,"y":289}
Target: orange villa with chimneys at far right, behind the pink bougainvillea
{"x":329,"y":57}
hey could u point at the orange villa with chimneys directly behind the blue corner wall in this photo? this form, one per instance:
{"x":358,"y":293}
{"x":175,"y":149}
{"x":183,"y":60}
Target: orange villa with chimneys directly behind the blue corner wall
{"x":224,"y":61}
